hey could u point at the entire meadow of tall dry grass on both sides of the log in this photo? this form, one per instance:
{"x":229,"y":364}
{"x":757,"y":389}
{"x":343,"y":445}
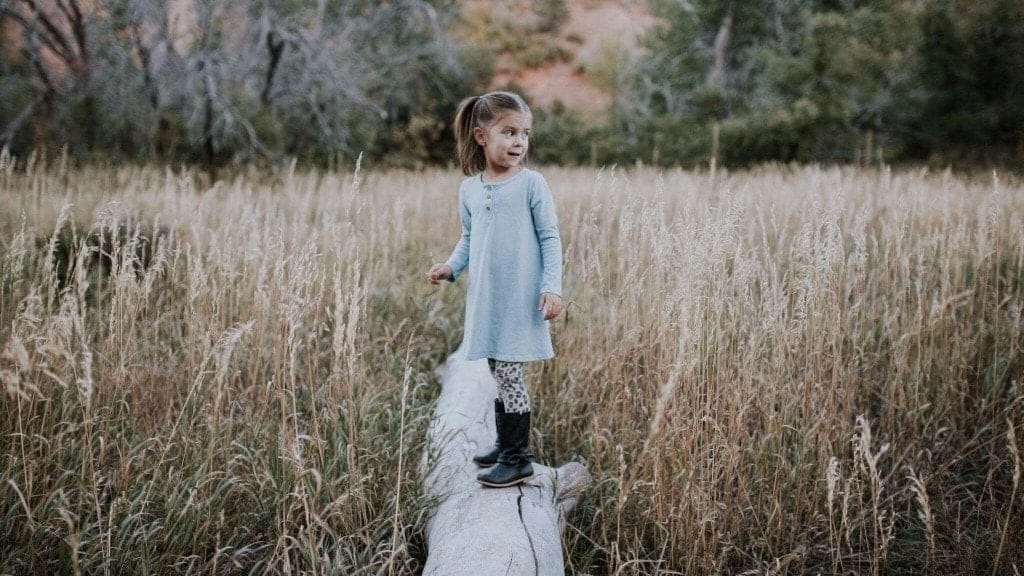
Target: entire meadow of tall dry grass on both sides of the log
{"x":784,"y":371}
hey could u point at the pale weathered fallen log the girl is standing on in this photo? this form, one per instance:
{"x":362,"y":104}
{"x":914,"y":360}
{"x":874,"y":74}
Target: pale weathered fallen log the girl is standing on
{"x":477,"y":530}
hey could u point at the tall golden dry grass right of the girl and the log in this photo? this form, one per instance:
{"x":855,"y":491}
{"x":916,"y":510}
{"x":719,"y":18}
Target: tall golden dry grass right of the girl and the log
{"x":792,"y":371}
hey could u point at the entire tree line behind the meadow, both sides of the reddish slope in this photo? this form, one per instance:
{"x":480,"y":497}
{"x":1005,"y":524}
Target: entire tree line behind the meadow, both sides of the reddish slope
{"x":740,"y":83}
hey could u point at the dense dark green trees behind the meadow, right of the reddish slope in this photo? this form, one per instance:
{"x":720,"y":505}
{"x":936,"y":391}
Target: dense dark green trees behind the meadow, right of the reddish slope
{"x":749,"y":81}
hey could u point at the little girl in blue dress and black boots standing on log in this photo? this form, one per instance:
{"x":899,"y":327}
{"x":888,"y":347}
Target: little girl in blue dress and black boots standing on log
{"x":510,"y":243}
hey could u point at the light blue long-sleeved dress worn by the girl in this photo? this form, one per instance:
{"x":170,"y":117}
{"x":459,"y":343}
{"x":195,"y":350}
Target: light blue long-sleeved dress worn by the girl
{"x":511,"y":246}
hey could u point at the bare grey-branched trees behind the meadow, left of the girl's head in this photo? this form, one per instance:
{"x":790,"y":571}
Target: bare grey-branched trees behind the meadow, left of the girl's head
{"x":229,"y":80}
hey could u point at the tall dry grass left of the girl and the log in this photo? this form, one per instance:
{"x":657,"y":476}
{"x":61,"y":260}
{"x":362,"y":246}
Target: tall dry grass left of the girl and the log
{"x":238,"y":406}
